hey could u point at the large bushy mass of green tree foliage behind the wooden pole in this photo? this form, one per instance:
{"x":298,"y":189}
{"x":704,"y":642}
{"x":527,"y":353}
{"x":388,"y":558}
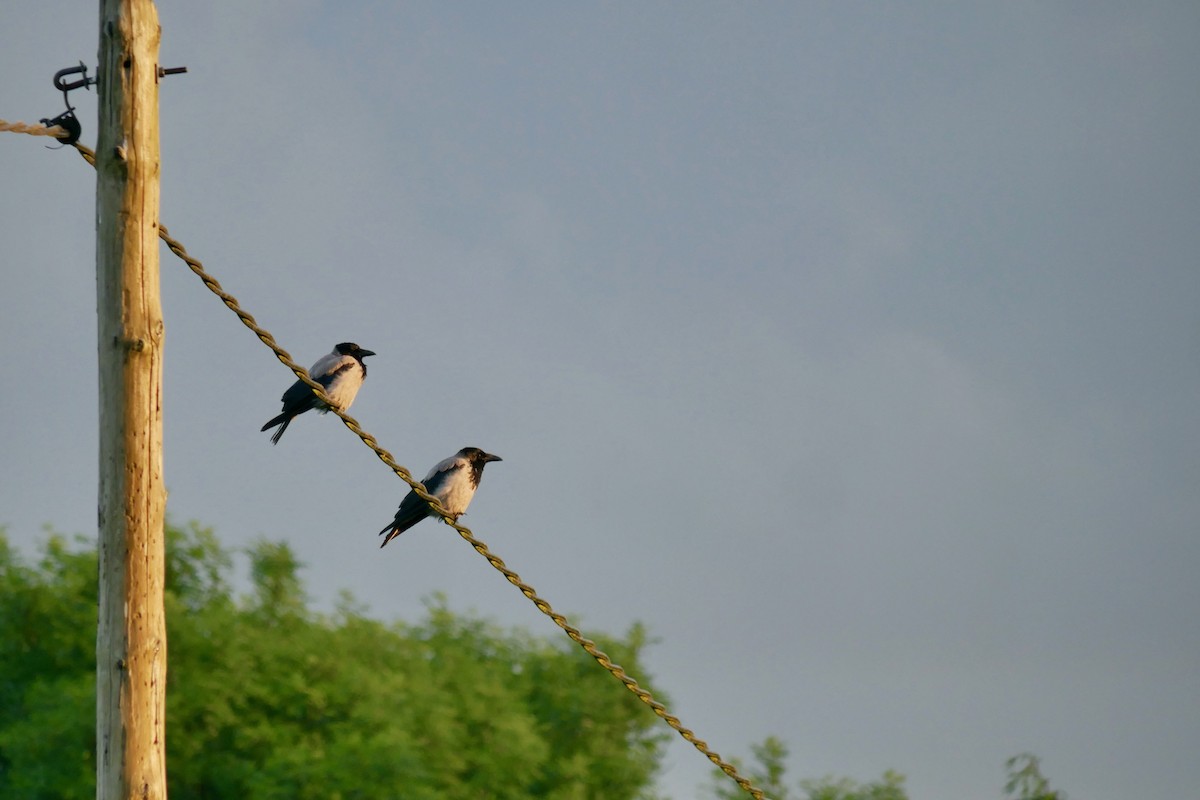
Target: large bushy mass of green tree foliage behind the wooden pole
{"x":269,"y":700}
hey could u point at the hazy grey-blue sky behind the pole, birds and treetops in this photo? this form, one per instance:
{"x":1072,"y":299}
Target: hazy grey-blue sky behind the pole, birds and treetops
{"x":854,"y":348}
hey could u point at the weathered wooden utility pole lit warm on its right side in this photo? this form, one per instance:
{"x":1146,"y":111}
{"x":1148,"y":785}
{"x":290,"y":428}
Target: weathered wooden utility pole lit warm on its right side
{"x":131,"y":640}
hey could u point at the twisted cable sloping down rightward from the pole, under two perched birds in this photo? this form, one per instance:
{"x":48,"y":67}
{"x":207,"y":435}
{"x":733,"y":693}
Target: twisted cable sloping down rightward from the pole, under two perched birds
{"x":464,"y":532}
